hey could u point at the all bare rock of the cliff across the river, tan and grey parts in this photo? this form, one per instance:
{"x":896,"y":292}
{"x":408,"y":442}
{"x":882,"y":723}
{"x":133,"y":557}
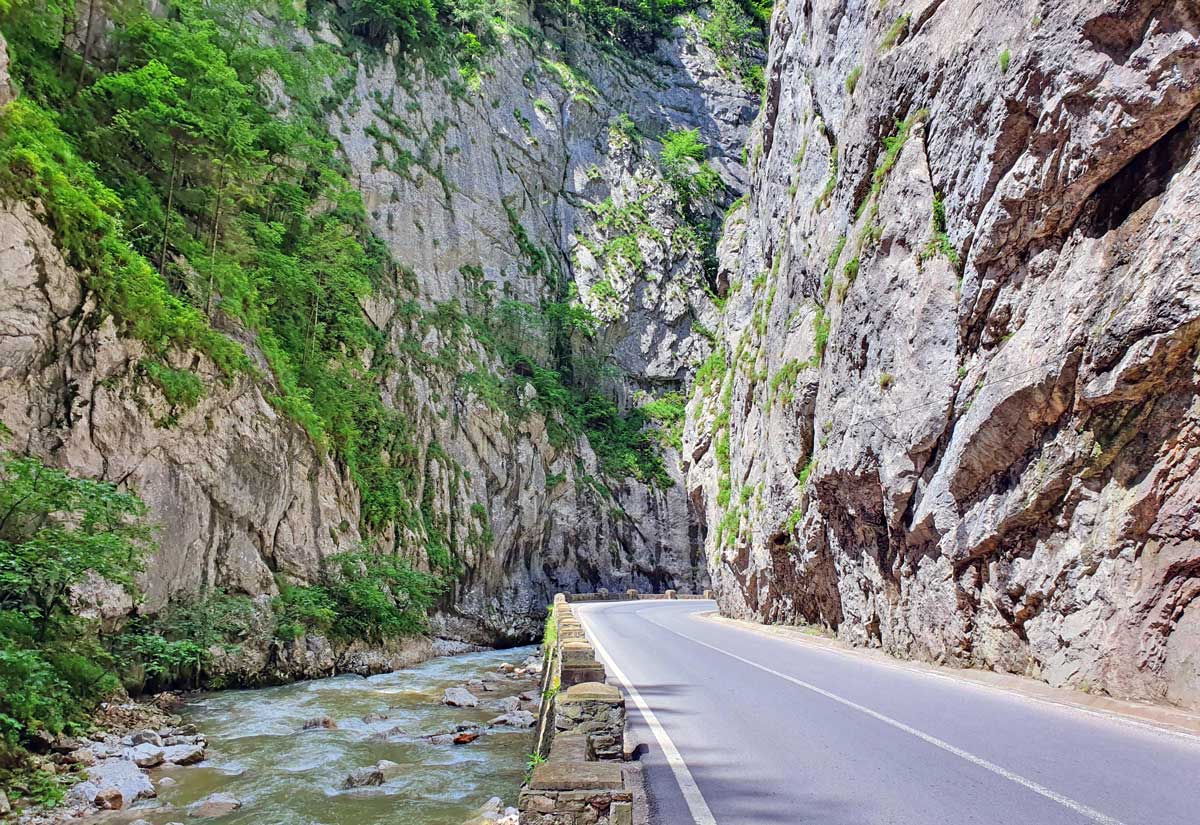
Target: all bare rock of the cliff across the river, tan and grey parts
{"x":484,"y":191}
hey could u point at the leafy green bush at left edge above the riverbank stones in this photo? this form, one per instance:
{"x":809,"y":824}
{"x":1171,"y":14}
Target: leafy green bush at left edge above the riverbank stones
{"x":57,"y":532}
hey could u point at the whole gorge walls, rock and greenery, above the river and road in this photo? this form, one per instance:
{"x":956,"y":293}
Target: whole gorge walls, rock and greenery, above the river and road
{"x":879,"y":317}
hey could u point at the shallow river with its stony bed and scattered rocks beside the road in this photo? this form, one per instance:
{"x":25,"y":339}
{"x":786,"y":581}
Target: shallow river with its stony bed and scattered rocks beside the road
{"x":424,"y":746}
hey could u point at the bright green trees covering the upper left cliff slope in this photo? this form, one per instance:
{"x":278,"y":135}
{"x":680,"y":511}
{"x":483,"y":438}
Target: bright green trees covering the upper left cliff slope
{"x":182,"y":197}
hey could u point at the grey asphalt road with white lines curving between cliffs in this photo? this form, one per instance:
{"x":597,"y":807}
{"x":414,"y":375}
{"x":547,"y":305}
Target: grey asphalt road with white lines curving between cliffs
{"x":742,"y":728}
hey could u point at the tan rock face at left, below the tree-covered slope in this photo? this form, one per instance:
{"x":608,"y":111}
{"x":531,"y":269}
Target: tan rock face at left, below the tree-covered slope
{"x":238,"y":492}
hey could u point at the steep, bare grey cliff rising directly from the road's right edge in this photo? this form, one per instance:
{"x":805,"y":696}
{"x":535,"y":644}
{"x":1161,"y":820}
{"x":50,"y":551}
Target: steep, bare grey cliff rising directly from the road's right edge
{"x":959,"y":414}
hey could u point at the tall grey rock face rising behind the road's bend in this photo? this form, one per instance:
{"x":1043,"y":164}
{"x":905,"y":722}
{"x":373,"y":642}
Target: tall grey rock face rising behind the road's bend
{"x":502,"y":192}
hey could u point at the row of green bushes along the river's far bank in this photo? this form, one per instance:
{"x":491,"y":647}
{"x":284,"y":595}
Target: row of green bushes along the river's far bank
{"x":59,"y":533}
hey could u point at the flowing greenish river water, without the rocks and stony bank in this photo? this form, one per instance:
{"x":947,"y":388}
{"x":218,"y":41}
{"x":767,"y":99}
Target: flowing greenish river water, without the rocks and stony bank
{"x":289,"y":776}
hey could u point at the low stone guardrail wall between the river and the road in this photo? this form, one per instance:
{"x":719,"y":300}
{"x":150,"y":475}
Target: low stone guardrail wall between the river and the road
{"x":581,"y":727}
